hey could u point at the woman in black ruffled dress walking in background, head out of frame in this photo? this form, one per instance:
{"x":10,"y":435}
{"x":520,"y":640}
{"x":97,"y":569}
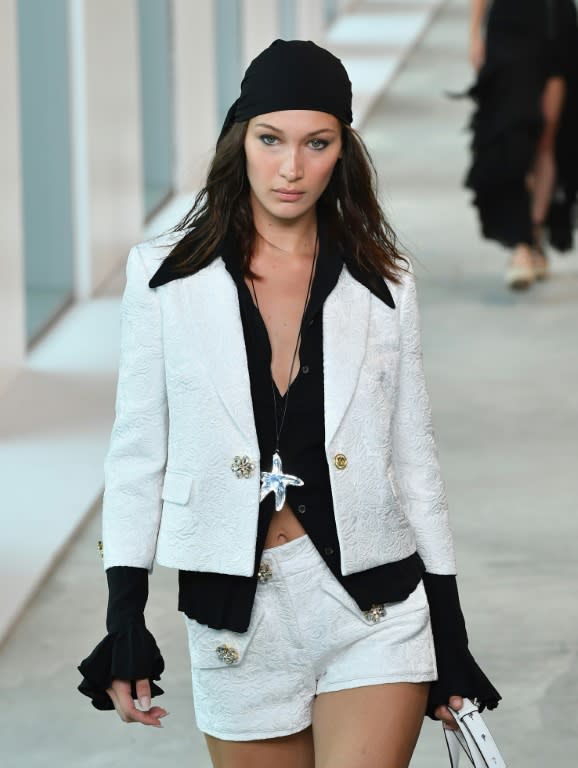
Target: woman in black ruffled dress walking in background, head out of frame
{"x":524,"y":170}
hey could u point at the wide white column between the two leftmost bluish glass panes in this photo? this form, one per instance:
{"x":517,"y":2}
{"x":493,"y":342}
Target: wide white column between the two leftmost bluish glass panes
{"x":114,"y":143}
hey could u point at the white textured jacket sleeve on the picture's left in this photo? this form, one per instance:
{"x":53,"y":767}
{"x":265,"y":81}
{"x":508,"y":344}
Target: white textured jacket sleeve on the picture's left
{"x":135,"y":463}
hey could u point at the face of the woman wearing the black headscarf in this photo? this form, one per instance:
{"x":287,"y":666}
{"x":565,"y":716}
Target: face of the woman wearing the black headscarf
{"x":290,"y":159}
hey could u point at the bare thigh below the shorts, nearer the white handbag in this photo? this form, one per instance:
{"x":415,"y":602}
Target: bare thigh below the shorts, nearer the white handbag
{"x":375,"y":726}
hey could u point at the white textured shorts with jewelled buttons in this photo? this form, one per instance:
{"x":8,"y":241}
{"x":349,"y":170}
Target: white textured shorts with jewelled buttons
{"x":307,"y":636}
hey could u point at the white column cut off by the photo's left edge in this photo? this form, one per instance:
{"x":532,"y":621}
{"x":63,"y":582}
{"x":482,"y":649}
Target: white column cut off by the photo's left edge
{"x":12,"y":291}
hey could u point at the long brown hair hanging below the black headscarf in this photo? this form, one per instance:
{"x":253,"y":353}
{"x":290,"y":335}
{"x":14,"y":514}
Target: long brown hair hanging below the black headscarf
{"x":349,"y":203}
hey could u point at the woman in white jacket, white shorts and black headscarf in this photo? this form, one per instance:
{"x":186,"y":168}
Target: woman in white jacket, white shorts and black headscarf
{"x":271,"y":398}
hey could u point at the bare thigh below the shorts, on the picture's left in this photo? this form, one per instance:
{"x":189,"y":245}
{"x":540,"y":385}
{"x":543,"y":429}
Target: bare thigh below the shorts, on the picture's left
{"x":295,"y":751}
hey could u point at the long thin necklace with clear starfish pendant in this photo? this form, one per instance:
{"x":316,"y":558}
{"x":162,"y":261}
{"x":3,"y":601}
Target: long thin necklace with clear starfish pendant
{"x":276,"y":481}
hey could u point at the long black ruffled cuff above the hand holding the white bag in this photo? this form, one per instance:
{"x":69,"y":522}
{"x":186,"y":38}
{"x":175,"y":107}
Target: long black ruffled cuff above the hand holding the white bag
{"x":458,"y":672}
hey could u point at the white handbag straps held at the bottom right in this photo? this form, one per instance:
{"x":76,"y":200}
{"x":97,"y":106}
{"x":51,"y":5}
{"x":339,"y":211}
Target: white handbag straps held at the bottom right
{"x":474,"y":737}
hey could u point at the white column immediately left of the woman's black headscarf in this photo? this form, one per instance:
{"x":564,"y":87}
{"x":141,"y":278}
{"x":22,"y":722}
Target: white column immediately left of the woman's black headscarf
{"x":195,"y":91}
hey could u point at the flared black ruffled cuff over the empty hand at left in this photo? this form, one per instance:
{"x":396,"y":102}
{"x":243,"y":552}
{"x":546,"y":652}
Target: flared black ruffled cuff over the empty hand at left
{"x":130,"y":654}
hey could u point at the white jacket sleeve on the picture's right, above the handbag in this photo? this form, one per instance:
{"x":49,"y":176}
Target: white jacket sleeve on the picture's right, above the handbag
{"x":415,"y":458}
